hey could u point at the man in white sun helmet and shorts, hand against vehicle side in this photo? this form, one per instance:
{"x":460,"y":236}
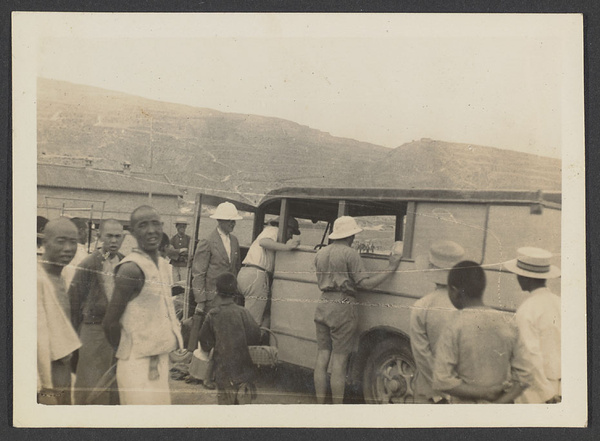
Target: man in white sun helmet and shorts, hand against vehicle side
{"x":340,"y":273}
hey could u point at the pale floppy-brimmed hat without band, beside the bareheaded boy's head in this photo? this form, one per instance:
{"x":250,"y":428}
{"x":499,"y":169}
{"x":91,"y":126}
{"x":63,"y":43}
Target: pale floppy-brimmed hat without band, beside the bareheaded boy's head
{"x":442,"y":256}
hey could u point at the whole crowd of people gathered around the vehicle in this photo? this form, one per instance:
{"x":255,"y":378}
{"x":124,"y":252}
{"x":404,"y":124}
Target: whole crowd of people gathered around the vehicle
{"x":109,"y":320}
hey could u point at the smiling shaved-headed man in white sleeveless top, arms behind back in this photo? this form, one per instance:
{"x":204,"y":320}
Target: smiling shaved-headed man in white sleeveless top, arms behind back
{"x":141,"y":318}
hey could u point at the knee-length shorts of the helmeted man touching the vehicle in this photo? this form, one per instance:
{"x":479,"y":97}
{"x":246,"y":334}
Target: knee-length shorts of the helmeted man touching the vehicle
{"x":336,"y":322}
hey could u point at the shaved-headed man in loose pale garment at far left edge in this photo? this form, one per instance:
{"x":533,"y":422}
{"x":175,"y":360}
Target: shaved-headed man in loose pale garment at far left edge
{"x":57,"y":339}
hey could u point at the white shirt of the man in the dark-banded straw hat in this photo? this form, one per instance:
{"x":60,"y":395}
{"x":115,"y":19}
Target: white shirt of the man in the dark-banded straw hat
{"x":538,"y":320}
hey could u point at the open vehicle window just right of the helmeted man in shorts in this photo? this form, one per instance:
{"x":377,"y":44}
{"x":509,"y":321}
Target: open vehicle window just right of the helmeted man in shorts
{"x":377,"y":236}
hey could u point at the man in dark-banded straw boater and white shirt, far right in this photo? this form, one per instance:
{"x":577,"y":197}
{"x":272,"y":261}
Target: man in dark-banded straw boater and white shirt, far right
{"x":538,"y":320}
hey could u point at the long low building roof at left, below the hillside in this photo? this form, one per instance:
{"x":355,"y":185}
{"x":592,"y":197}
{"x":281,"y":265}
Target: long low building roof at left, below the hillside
{"x":86,"y":178}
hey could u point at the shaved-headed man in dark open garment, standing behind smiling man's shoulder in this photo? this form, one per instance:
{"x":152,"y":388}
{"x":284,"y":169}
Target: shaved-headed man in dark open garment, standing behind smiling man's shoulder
{"x":89,"y":293}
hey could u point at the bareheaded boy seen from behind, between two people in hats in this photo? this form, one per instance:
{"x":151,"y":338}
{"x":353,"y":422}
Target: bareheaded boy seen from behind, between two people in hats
{"x":478,"y":350}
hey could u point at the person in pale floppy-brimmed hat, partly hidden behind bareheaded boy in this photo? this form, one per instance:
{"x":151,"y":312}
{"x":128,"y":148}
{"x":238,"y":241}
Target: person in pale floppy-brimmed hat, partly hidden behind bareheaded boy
{"x":430,"y":316}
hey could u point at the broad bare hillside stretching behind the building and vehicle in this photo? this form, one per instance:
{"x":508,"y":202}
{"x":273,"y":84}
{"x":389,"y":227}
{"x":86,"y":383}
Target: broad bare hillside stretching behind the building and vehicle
{"x":204,"y":149}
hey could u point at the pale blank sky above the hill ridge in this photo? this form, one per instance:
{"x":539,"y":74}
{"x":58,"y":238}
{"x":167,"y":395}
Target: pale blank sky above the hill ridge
{"x":384,"y":79}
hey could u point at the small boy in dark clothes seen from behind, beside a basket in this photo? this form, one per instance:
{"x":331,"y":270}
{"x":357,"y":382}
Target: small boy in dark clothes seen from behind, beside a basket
{"x":229,"y":329}
